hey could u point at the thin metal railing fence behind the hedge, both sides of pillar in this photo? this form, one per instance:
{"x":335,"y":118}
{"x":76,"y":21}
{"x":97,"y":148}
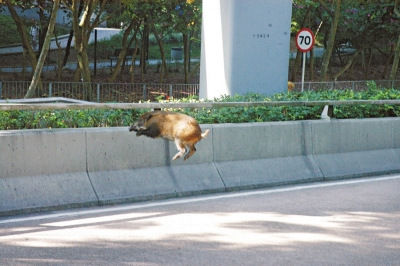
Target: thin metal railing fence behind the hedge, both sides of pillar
{"x":135,"y":92}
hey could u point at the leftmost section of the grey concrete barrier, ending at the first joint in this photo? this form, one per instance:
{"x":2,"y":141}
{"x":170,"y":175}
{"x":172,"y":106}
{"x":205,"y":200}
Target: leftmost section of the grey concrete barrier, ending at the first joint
{"x":43,"y":168}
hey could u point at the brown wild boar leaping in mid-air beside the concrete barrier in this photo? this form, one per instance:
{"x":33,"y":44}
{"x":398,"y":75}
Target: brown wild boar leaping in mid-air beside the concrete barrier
{"x":181,"y":128}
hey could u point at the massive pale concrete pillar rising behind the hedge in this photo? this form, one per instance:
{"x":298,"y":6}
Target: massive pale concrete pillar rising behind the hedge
{"x":245,"y":47}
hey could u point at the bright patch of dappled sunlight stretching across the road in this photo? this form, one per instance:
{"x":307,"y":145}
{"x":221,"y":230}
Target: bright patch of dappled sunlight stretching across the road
{"x":228,"y":230}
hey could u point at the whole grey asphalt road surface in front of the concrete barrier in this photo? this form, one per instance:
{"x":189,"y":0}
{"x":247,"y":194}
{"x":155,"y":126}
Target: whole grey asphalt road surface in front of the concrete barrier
{"x":353,"y":222}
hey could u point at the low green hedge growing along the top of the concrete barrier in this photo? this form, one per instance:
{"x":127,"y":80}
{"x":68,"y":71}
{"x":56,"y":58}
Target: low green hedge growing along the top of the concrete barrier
{"x":113,"y":118}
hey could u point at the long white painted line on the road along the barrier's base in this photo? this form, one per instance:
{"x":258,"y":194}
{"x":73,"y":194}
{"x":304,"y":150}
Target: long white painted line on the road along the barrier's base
{"x":135,"y":206}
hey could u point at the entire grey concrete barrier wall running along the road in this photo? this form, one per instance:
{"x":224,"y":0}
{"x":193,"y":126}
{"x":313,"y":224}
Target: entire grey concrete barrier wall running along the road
{"x":43,"y":170}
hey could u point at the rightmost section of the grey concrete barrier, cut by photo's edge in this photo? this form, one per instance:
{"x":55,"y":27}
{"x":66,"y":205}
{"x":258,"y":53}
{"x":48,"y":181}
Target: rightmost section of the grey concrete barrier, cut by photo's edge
{"x":356,"y":147}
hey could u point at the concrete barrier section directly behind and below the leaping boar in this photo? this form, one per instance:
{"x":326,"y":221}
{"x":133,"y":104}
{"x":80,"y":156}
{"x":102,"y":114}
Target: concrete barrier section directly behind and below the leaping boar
{"x":123,"y":167}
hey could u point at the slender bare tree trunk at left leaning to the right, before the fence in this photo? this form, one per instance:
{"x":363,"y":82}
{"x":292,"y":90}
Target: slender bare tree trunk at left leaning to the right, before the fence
{"x":43,"y":53}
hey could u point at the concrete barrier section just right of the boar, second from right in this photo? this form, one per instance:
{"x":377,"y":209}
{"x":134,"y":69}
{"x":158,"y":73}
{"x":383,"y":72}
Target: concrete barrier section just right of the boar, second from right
{"x":264,"y":154}
